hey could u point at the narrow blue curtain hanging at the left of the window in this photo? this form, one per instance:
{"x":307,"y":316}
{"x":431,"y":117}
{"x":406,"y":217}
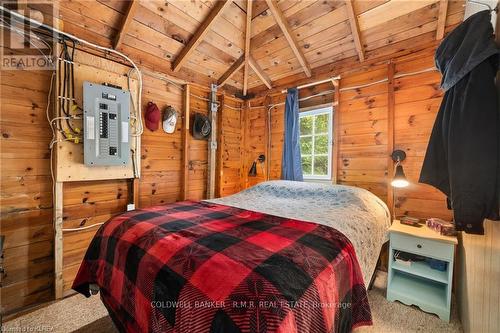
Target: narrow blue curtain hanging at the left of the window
{"x":291,"y":166}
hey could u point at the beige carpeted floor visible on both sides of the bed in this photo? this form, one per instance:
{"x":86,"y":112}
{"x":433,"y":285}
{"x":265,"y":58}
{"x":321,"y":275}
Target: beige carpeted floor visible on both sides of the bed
{"x":78,"y":314}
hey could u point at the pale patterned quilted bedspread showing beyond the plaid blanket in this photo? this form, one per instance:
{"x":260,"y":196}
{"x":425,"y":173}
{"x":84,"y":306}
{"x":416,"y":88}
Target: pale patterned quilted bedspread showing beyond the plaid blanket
{"x":357,"y":213}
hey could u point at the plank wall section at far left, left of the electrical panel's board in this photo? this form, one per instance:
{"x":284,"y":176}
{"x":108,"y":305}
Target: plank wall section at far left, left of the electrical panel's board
{"x":25,"y":189}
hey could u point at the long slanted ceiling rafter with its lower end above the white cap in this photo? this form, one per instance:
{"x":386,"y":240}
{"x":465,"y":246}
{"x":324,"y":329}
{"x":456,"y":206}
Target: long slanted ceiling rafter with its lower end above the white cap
{"x":198,"y":36}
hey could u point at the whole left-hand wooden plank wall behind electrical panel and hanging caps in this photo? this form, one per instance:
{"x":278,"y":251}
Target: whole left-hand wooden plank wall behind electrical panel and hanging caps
{"x":26,"y":193}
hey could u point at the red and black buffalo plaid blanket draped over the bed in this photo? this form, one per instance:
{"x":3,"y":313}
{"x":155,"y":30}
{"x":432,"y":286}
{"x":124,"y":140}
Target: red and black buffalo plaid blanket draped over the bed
{"x":202,"y":267}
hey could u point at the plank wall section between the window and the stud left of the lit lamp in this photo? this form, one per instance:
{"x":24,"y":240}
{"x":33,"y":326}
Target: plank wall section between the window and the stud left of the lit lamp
{"x":363,"y":126}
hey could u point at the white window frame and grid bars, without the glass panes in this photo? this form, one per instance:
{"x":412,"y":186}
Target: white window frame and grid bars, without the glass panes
{"x":316,"y":112}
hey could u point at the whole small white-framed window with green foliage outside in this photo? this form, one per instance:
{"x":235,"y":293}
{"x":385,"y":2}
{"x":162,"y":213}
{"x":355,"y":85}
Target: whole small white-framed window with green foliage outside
{"x":316,"y":143}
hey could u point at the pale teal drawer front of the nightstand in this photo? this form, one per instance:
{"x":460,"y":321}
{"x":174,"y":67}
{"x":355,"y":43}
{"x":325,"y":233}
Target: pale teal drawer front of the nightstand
{"x":422,"y":246}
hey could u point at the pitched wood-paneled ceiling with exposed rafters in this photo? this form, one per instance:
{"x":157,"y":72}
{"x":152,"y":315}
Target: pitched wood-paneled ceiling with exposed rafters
{"x":205,"y":41}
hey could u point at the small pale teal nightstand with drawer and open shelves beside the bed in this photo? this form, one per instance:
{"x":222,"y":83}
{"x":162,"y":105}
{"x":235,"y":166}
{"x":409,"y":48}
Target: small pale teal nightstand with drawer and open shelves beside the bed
{"x":419,"y":284}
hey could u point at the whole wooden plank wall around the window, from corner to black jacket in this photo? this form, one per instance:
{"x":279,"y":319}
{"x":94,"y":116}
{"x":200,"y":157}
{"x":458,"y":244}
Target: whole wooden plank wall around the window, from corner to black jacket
{"x":365,"y":140}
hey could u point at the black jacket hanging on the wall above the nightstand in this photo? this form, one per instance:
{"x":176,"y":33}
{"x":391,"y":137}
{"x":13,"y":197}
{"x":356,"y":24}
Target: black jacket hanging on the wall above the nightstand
{"x":463,"y":155}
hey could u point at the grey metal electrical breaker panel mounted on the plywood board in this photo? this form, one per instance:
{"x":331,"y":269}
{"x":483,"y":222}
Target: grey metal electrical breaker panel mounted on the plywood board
{"x":106,"y":119}
